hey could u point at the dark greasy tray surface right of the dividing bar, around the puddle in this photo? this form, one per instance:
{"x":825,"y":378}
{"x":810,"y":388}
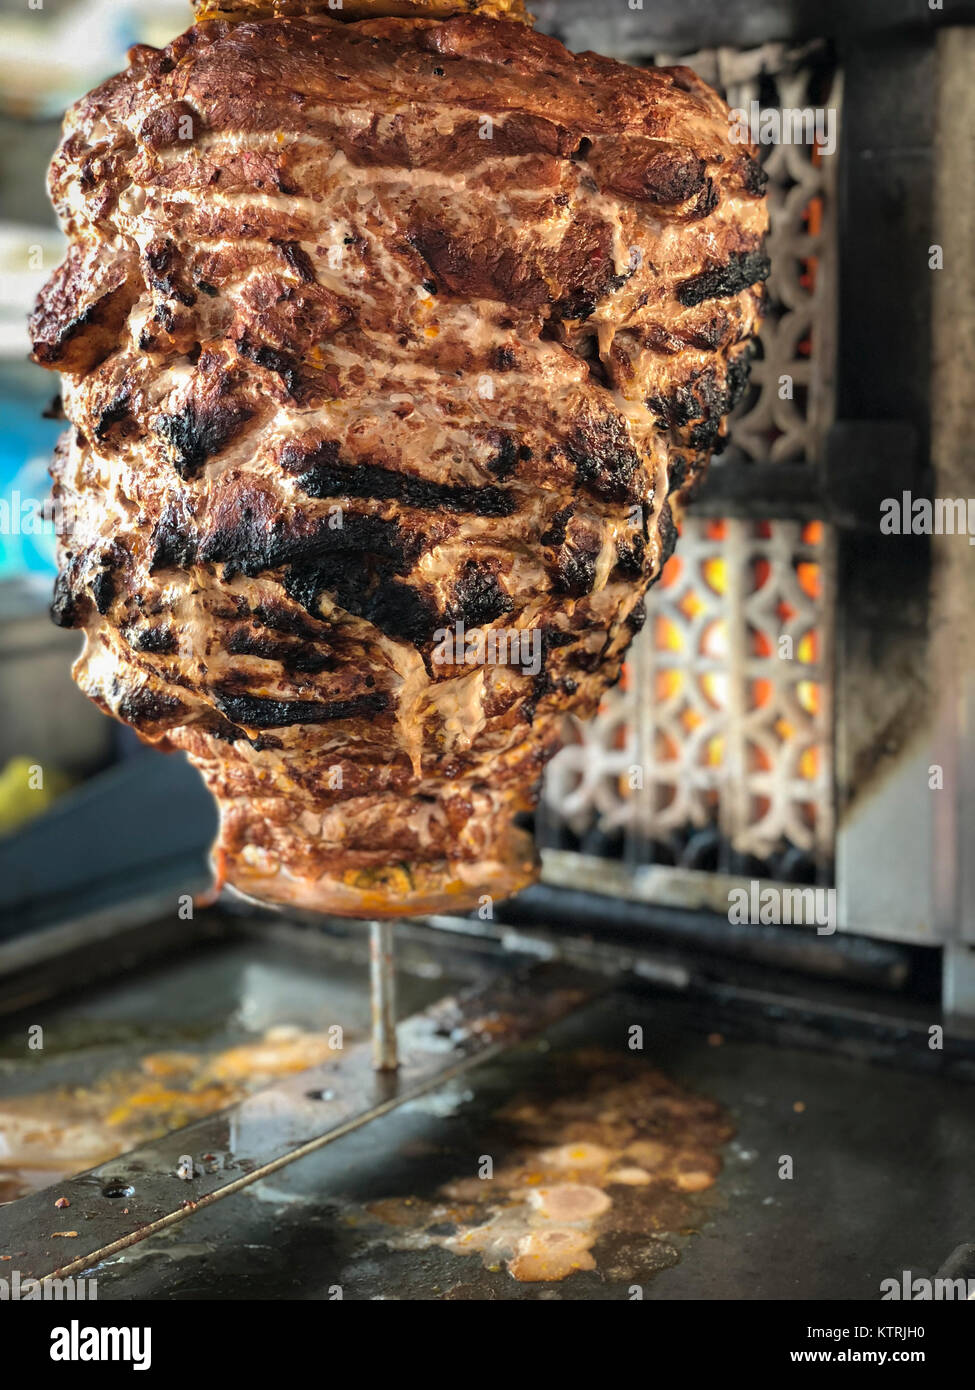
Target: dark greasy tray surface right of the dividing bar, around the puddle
{"x":871,"y":1195}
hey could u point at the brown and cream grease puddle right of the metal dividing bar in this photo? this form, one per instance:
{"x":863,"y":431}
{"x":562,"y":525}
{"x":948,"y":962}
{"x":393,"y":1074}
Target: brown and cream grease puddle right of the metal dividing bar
{"x":596,"y":1175}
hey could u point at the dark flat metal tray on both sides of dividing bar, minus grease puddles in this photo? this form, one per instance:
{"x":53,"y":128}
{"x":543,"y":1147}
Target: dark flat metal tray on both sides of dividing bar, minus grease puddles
{"x":881,"y":1154}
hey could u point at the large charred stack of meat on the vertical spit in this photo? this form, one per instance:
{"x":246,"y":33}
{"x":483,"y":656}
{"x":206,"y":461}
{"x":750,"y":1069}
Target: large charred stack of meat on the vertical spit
{"x":378,"y":334}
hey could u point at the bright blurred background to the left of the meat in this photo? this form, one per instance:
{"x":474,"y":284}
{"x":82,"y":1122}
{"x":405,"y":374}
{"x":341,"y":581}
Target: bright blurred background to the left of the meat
{"x":49,"y":58}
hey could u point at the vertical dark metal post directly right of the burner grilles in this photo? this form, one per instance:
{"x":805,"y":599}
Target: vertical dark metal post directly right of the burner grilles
{"x":880,"y":448}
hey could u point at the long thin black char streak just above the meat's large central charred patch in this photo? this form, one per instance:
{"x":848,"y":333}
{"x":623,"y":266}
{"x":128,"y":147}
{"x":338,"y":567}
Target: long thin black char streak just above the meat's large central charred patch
{"x":322,"y":476}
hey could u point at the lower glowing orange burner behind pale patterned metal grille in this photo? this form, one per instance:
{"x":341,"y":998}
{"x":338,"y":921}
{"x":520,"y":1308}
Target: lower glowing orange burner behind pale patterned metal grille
{"x":723,"y":722}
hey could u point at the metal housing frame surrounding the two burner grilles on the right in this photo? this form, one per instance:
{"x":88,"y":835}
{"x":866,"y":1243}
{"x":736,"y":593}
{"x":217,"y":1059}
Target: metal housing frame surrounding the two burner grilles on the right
{"x":905,"y":692}
